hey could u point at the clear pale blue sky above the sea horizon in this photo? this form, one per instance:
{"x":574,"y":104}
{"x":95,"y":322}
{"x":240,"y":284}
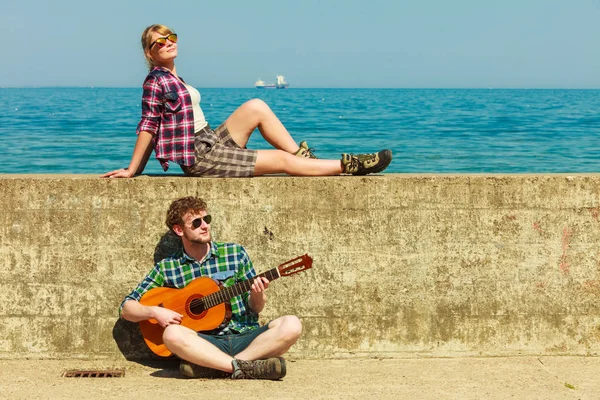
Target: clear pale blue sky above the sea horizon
{"x":314,"y":43}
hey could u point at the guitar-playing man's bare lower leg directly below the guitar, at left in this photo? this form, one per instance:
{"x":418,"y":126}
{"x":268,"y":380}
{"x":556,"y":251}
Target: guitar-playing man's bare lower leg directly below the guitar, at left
{"x":186,"y":344}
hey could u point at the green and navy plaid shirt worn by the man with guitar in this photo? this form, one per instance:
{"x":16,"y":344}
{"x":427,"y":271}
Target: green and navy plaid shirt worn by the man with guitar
{"x":226,"y":262}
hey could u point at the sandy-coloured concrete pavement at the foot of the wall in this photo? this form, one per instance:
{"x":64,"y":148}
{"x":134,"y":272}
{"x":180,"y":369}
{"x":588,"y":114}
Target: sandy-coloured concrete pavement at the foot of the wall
{"x":431,"y":378}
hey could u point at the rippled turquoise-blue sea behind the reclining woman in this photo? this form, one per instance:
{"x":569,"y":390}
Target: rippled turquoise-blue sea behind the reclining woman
{"x":92,"y":130}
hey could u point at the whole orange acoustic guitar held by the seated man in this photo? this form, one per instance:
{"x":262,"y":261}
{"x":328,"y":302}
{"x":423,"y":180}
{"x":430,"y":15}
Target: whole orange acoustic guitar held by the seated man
{"x":204,"y":303}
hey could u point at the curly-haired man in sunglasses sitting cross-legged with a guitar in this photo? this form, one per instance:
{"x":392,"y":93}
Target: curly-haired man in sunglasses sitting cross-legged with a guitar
{"x":242,"y":349}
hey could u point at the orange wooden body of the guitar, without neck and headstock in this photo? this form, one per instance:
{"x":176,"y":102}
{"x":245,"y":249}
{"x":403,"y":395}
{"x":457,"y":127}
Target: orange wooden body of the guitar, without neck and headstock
{"x":179,"y":300}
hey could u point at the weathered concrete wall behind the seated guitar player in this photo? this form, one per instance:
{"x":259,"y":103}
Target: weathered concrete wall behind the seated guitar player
{"x":403,"y":265}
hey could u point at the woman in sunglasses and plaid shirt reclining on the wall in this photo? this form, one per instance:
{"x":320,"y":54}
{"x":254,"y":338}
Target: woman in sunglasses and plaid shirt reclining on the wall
{"x":173,"y":125}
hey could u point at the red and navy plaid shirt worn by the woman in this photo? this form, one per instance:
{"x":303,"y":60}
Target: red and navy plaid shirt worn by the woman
{"x":168,"y":115}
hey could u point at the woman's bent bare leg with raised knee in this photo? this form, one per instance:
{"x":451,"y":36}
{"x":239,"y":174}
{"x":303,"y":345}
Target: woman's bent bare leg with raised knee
{"x":254,"y":114}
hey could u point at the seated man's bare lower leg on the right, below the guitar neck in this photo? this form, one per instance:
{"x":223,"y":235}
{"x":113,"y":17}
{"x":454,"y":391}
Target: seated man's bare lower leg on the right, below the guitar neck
{"x":283,"y":332}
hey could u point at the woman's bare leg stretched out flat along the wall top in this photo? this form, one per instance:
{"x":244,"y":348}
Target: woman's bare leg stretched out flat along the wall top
{"x":277,"y":161}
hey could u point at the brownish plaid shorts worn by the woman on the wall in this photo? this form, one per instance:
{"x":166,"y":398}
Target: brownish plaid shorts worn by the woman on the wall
{"x":219,"y":156}
